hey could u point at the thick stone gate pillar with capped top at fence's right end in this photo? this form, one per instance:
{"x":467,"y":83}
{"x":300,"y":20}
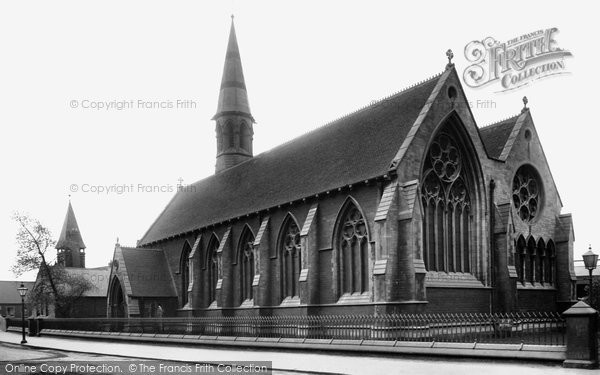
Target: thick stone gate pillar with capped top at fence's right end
{"x":582,"y":344}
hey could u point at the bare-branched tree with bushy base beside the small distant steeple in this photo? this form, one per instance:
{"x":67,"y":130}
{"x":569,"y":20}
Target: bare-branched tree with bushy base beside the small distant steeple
{"x":54,"y":285}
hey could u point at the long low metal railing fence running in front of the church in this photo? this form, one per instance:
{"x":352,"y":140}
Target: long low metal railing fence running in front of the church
{"x":528,"y":328}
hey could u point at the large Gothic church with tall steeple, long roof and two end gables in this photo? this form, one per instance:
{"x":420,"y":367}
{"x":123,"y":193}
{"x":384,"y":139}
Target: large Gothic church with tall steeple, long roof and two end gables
{"x":405,"y":205}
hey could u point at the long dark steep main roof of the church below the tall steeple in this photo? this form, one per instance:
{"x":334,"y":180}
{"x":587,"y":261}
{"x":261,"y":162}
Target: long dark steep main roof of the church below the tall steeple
{"x":351,"y":149}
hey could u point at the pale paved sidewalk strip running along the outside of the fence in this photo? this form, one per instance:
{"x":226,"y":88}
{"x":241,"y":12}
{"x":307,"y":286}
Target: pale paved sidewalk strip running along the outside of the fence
{"x":300,"y":361}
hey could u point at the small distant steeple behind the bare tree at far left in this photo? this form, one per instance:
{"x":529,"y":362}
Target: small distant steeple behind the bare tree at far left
{"x":70,"y":246}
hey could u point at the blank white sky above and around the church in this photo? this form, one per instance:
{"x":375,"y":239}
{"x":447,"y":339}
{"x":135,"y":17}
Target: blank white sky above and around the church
{"x":305,"y":63}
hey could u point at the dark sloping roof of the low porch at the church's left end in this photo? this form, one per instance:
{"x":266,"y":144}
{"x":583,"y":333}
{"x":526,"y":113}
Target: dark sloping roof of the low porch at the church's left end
{"x":148,"y":273}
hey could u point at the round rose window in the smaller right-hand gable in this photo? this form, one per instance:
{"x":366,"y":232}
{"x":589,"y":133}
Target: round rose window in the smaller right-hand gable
{"x":527,"y":197}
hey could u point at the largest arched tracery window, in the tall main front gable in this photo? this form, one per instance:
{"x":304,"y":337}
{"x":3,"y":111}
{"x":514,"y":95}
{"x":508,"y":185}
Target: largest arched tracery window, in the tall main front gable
{"x":447,"y":208}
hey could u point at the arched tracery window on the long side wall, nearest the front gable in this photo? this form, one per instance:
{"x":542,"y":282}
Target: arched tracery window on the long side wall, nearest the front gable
{"x":353,"y":252}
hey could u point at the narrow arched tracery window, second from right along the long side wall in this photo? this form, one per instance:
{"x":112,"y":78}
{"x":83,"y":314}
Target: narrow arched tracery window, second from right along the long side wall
{"x":290,"y":258}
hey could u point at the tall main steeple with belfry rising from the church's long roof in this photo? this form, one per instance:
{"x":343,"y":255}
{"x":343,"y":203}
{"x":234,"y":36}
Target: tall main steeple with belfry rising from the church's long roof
{"x":234,"y":126}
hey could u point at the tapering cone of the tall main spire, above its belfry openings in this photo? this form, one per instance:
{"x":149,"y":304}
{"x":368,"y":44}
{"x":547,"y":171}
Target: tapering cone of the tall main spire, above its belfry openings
{"x":233,"y":97}
